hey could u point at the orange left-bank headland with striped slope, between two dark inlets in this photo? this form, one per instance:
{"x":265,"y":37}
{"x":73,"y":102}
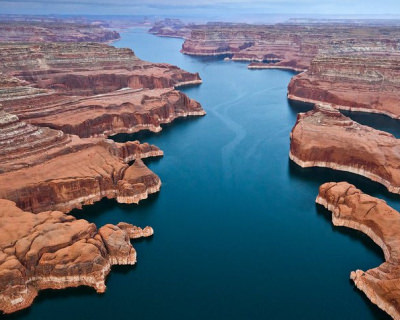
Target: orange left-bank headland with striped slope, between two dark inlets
{"x":45,"y":169}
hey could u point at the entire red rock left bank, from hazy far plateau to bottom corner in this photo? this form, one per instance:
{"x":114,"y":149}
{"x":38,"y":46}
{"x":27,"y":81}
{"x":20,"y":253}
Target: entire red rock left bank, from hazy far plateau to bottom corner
{"x":61,"y":97}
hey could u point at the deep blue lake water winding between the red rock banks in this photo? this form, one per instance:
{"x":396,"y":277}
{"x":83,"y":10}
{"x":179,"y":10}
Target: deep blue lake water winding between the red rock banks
{"x":237,"y":231}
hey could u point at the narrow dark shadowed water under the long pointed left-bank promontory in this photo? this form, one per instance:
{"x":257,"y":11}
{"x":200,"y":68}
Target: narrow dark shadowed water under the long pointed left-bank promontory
{"x":142,"y":136}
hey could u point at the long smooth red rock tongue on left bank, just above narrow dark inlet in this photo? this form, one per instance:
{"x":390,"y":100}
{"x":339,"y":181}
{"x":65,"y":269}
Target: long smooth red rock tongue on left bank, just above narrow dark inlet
{"x":122,"y":111}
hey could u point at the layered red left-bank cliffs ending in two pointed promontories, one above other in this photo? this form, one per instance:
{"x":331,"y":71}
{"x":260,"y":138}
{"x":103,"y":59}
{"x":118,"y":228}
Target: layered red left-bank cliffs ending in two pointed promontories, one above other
{"x":91,"y":89}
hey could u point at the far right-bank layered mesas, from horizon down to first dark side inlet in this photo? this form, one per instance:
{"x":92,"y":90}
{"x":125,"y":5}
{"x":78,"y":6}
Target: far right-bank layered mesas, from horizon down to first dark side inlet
{"x":351,"y":66}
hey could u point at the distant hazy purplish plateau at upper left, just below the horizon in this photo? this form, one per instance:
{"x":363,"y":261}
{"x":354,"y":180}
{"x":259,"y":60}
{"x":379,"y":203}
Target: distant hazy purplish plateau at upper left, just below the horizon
{"x":54,"y":31}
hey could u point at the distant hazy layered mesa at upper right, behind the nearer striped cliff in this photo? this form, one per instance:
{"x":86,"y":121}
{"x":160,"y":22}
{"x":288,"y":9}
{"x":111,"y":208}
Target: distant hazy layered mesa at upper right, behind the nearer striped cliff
{"x":287,"y":46}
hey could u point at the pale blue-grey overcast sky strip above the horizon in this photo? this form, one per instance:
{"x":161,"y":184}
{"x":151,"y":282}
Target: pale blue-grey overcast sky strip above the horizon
{"x":199,"y":7}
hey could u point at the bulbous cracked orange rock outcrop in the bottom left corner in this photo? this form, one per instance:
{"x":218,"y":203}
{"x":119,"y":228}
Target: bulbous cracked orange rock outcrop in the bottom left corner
{"x":54,"y":250}
